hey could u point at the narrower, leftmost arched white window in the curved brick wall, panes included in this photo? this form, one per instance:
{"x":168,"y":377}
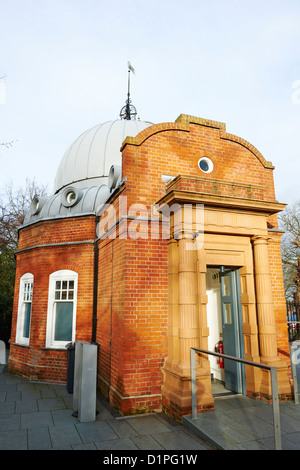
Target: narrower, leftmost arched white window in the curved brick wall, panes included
{"x":24,"y":309}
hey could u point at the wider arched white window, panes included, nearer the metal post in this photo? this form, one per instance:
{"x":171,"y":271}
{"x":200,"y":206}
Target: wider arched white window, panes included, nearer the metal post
{"x":61,"y":317}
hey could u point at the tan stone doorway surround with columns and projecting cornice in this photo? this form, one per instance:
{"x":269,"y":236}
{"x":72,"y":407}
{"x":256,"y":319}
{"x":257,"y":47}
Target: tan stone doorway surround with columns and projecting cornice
{"x":235,"y":233}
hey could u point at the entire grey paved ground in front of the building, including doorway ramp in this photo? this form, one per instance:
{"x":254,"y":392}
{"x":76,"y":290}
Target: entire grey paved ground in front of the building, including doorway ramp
{"x":38,"y":416}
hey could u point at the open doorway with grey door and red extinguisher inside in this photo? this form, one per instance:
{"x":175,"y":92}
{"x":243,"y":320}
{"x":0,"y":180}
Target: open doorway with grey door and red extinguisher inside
{"x":225,"y":329}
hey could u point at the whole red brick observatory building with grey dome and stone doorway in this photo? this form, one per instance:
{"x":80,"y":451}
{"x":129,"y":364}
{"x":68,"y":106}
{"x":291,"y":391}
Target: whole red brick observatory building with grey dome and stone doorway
{"x":157,"y":238}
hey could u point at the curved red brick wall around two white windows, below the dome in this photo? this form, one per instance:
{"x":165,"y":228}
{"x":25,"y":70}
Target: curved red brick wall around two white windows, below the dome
{"x":35,"y":361}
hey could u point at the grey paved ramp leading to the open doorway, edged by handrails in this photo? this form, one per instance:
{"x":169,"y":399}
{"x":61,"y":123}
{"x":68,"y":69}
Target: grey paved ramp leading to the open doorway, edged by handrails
{"x":240,"y":423}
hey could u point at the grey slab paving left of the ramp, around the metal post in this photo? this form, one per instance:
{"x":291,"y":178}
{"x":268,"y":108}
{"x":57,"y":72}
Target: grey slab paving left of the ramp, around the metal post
{"x":38,"y":416}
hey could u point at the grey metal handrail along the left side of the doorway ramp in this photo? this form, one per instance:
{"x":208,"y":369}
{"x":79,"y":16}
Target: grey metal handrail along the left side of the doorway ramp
{"x":274,"y":387}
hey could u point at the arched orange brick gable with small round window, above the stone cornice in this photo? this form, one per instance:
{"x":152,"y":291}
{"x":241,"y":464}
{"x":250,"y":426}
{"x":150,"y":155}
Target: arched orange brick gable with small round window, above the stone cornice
{"x":175,"y":149}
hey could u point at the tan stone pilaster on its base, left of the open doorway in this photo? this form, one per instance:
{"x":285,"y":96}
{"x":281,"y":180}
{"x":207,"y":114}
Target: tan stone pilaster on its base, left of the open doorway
{"x":185,"y":327}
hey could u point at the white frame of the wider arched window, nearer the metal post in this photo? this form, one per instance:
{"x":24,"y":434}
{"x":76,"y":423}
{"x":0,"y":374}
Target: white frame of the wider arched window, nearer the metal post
{"x":62,"y":275}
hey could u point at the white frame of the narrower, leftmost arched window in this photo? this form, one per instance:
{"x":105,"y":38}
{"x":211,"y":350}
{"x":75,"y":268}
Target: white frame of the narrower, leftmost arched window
{"x":24,"y":298}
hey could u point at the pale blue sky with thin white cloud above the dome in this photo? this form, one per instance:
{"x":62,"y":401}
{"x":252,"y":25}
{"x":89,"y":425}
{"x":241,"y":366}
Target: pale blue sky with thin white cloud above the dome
{"x":63,"y":69}
